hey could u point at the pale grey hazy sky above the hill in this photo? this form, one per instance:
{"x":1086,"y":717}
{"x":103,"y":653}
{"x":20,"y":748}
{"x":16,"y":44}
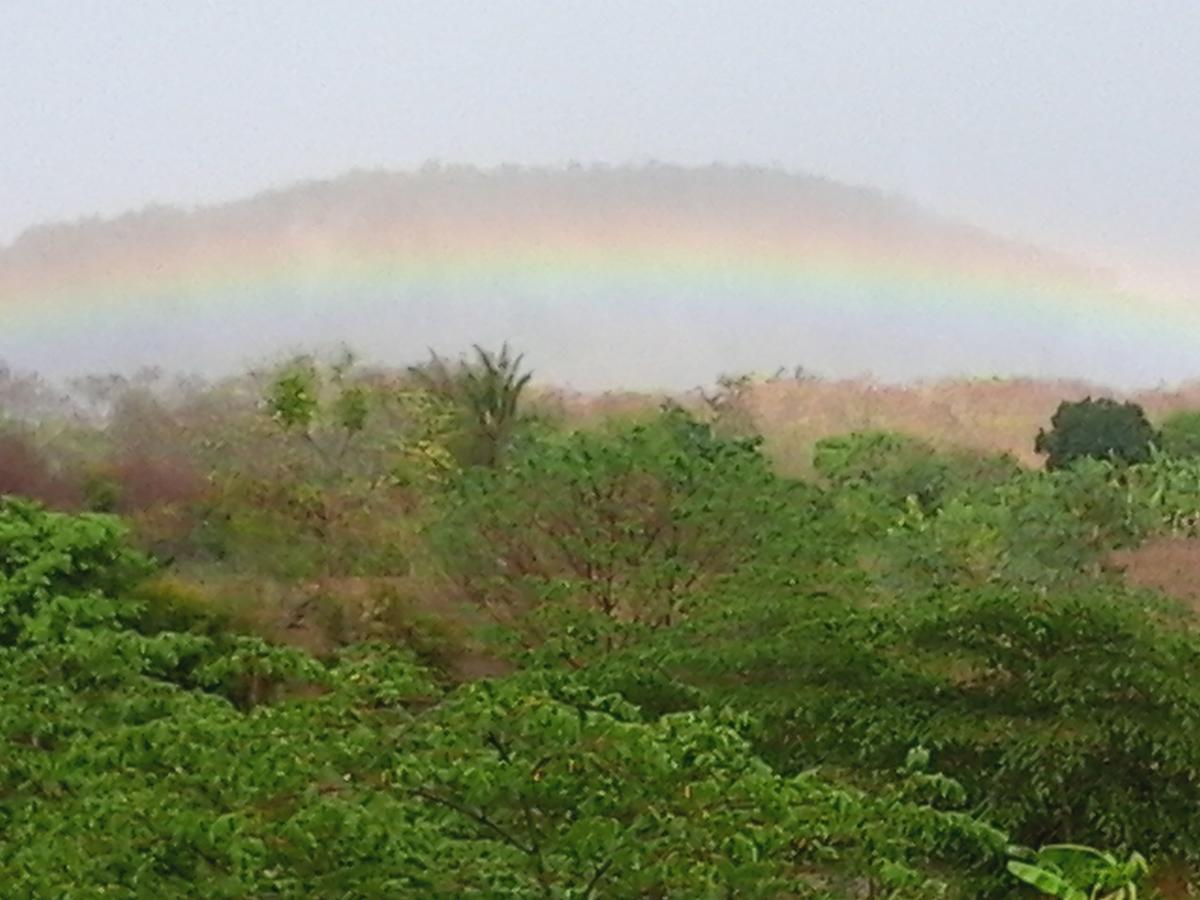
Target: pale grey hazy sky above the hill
{"x":1072,"y":122}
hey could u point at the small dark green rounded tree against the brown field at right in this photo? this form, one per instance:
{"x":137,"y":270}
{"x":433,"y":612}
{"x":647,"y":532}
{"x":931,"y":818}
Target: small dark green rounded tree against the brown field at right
{"x":1100,"y":429}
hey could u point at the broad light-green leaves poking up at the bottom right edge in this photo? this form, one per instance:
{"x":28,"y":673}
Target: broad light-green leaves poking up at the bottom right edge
{"x":1078,"y":873}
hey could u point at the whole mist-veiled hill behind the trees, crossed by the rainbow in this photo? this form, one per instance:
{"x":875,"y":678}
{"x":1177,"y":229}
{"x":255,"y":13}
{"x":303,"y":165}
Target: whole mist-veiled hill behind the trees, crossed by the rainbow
{"x":651,"y":277}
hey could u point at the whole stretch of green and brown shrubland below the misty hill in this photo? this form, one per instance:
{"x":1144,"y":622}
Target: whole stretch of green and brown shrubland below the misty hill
{"x":335,"y":632}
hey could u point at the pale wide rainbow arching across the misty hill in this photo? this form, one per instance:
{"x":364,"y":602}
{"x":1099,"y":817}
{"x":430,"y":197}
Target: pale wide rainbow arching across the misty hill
{"x":350,"y":265}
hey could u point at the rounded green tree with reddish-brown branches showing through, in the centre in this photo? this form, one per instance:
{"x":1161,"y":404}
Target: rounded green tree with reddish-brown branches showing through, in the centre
{"x":587,"y":536}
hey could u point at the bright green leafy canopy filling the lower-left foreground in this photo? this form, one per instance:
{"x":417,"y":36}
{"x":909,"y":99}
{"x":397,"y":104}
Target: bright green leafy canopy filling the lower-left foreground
{"x":187,"y":765}
